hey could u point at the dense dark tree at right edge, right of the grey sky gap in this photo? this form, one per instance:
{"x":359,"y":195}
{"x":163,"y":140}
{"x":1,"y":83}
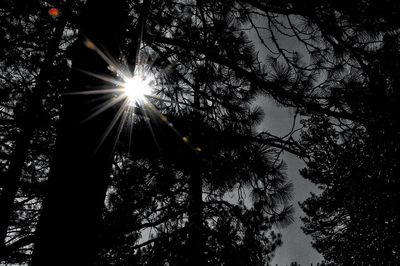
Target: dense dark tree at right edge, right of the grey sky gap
{"x":354,"y":220}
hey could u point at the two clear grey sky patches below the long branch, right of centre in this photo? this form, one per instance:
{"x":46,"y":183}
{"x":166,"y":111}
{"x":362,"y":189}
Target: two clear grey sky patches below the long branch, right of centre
{"x":296,"y":245}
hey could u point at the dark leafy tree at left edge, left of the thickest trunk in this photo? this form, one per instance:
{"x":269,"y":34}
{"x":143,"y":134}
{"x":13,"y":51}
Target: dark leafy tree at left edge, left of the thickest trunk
{"x":28,"y":114}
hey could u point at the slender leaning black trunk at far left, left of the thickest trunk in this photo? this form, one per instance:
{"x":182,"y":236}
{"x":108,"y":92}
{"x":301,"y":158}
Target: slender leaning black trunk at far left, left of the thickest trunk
{"x":28,"y":122}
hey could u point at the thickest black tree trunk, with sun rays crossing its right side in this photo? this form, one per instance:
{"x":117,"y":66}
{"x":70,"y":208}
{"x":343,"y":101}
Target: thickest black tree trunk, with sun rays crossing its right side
{"x":71,"y":217}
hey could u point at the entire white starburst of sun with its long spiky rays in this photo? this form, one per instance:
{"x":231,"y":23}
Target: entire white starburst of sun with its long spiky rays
{"x":135,"y":90}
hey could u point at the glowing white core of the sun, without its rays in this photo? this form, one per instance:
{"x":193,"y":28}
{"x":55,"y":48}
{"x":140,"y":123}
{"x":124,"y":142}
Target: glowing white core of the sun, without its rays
{"x":136,"y":89}
